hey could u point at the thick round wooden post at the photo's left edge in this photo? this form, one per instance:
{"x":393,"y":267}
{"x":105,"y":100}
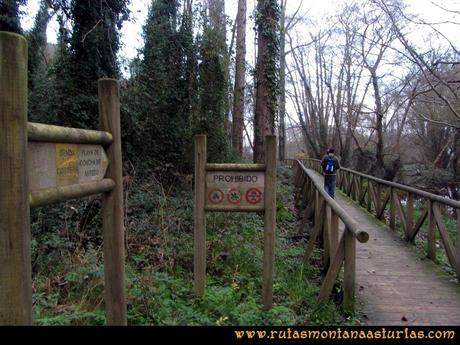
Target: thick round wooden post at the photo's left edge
{"x":15,"y":261}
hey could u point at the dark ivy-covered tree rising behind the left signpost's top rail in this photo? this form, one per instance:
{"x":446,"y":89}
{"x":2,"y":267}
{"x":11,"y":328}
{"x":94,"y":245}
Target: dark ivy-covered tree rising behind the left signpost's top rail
{"x":92,"y":47}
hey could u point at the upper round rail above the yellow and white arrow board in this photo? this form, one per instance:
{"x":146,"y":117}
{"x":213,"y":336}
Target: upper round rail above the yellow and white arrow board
{"x":58,"y":134}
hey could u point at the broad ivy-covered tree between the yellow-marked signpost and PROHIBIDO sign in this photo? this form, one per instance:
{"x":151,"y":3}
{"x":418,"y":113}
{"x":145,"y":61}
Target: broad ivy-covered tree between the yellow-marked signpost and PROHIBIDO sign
{"x":159,"y":96}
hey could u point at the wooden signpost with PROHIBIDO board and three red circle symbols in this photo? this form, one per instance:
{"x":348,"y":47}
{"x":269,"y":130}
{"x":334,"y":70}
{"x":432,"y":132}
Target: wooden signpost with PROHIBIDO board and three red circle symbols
{"x":235,"y":188}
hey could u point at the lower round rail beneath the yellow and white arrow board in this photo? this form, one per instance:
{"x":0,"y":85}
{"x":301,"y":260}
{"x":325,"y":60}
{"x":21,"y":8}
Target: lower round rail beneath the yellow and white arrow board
{"x":53,"y":195}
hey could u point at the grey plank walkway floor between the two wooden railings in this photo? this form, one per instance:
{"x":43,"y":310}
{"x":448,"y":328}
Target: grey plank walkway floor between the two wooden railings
{"x":395,"y":285}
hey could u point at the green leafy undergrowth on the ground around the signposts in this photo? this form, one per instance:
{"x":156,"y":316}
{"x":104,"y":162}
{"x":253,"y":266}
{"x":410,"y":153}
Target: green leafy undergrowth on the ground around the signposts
{"x":69,"y":273}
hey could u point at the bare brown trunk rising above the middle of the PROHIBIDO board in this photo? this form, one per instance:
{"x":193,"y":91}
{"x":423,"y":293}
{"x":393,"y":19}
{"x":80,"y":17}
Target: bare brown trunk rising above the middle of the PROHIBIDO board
{"x":240,"y":81}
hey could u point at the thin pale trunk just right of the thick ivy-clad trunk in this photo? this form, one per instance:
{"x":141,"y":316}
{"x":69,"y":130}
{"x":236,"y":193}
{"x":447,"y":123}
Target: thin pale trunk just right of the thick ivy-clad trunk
{"x":282,"y":112}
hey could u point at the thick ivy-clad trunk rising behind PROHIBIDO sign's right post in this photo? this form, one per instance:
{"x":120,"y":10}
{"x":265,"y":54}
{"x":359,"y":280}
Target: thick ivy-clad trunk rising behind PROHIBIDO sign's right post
{"x":266,"y":74}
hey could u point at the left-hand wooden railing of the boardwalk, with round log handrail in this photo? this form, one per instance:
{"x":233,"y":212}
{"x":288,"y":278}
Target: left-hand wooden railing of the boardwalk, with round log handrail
{"x":314,"y":202}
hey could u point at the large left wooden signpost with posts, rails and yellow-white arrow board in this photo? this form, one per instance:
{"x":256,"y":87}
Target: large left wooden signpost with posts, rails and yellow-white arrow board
{"x":44,"y":164}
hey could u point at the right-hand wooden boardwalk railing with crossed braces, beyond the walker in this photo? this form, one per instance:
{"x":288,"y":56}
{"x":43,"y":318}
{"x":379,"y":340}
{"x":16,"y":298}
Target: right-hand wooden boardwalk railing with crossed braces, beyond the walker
{"x":390,"y":201}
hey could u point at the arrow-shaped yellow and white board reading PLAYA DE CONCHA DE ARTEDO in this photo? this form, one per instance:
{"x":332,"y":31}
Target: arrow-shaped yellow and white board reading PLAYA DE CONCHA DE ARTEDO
{"x":55,"y":165}
